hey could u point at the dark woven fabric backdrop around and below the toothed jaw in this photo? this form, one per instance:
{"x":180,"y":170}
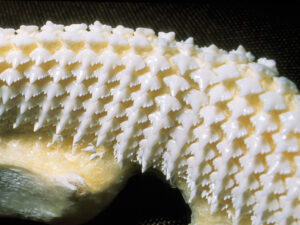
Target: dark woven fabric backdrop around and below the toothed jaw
{"x":270,"y":30}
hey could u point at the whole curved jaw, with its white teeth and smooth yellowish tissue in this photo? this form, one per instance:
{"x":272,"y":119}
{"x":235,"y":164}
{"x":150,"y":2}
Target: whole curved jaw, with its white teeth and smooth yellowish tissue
{"x":81,"y":107}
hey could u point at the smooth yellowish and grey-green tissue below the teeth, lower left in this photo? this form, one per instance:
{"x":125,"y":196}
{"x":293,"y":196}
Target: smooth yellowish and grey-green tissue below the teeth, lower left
{"x":66,"y":187}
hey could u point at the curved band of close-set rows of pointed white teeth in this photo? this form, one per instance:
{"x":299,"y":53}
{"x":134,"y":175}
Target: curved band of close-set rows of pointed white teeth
{"x":227,"y":125}
